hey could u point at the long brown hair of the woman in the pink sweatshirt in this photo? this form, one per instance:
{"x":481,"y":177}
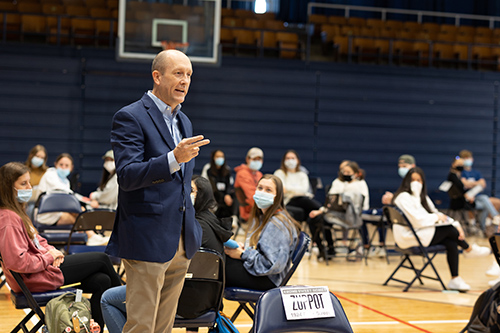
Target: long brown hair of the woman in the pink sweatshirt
{"x":9,"y":173}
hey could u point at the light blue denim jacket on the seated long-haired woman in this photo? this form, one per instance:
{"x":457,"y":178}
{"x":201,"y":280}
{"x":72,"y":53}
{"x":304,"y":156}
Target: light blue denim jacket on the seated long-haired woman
{"x":273,"y":254}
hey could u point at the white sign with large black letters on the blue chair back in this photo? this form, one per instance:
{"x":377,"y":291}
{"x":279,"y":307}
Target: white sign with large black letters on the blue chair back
{"x":307,"y":303}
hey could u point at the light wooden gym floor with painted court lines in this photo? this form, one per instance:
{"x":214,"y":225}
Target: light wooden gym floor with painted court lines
{"x":370,"y":306}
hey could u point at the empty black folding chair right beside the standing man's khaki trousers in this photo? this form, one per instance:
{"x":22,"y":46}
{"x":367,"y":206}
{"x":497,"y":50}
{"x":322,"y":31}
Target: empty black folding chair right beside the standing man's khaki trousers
{"x":203,"y":289}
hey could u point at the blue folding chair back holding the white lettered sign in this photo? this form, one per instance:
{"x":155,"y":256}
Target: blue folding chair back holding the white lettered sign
{"x":270,"y":317}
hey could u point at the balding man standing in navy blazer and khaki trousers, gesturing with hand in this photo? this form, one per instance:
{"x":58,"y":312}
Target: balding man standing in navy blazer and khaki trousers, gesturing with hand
{"x":155,"y":231}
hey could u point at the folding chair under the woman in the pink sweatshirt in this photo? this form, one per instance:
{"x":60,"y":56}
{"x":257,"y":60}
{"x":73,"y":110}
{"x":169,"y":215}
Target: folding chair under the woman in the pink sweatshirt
{"x":34,"y":301}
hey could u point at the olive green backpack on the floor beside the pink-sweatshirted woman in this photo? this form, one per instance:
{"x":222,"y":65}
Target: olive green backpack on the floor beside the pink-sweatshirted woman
{"x":60,"y":311}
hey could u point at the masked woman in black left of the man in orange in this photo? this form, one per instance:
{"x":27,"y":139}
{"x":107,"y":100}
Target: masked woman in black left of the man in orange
{"x":219,"y":175}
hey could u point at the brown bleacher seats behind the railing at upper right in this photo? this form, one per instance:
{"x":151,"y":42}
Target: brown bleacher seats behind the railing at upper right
{"x":409,"y":42}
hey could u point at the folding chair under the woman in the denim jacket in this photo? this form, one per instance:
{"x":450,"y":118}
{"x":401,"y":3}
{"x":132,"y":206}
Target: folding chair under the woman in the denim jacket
{"x":249,"y":297}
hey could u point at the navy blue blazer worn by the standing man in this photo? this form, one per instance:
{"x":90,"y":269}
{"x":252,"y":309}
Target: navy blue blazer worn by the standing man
{"x":153,"y":204}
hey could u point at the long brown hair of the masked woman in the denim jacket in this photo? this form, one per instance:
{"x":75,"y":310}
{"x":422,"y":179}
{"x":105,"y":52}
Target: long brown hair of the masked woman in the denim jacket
{"x":277,"y":209}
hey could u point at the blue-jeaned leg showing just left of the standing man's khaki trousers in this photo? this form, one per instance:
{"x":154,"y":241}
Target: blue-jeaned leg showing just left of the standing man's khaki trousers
{"x":113,"y":309}
